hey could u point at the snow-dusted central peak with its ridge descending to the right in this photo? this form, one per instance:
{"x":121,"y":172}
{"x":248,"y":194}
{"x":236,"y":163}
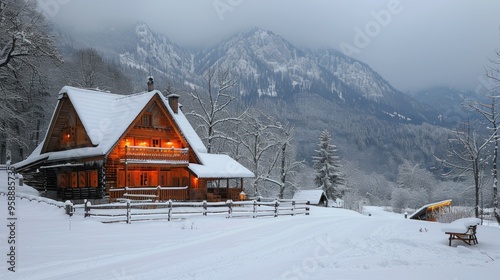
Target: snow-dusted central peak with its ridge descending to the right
{"x":268,"y":65}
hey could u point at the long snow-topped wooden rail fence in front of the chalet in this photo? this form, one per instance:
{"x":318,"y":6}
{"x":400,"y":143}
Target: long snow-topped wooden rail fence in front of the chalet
{"x":132,"y":210}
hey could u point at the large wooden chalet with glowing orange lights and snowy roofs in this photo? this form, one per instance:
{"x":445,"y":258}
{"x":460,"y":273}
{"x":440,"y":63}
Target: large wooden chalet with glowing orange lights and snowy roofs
{"x":138,"y":146}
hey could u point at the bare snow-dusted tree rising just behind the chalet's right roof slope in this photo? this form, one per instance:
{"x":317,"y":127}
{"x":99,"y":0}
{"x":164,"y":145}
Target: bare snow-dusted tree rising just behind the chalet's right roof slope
{"x":213,"y":114}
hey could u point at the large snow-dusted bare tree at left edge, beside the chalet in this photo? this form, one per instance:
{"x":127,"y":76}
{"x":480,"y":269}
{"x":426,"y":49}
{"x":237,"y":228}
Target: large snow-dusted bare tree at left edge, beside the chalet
{"x":26,"y":50}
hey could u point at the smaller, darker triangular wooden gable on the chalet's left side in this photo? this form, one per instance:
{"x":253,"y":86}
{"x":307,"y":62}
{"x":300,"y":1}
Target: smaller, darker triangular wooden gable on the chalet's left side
{"x":66,"y":130}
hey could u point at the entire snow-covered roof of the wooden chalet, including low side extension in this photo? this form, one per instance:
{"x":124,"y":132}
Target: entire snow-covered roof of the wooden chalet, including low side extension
{"x":106,"y":116}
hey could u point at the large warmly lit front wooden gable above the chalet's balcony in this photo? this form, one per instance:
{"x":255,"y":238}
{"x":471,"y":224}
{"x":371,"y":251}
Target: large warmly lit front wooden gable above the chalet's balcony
{"x":155,"y":127}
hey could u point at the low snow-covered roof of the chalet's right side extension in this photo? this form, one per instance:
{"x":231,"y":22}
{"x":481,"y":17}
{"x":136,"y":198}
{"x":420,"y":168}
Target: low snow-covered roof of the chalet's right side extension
{"x":219,"y":166}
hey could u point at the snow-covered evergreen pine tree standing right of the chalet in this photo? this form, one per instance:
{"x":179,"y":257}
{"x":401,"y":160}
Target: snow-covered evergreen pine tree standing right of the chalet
{"x":326,"y":163}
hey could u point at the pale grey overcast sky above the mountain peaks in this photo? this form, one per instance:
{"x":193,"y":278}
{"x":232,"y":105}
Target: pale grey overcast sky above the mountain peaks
{"x":412,"y":44}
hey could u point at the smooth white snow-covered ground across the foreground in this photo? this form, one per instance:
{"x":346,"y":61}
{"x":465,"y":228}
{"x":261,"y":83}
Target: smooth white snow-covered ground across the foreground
{"x":328,"y":244}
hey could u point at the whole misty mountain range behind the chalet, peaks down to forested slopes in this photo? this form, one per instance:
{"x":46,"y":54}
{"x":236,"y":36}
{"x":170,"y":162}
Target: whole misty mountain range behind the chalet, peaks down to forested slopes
{"x":372,"y":123}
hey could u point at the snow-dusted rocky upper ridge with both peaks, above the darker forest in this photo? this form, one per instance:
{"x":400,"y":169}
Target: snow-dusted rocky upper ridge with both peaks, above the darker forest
{"x":267,"y":65}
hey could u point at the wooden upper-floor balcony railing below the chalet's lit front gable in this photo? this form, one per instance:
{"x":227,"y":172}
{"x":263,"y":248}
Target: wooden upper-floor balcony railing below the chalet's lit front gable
{"x":156,"y":155}
